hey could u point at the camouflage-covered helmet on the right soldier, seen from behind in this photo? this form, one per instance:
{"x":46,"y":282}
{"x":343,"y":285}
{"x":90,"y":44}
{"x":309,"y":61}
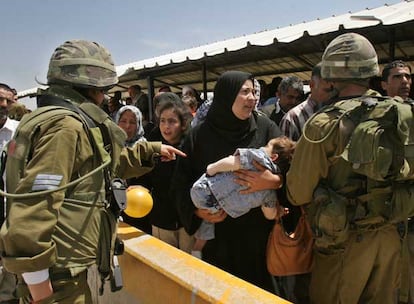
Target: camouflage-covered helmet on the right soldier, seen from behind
{"x":349,"y":56}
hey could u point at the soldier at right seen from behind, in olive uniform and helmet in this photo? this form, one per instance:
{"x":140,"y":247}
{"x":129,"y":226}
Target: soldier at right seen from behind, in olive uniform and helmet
{"x":354,"y":215}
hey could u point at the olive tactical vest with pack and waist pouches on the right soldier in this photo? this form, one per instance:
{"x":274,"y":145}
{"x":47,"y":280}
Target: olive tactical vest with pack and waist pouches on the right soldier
{"x":381,"y":151}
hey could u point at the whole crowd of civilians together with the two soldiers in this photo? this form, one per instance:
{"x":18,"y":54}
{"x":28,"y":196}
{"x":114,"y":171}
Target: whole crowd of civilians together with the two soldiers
{"x":220,"y":172}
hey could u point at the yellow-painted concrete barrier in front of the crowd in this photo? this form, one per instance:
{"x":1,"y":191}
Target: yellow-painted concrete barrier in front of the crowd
{"x":157,"y":273}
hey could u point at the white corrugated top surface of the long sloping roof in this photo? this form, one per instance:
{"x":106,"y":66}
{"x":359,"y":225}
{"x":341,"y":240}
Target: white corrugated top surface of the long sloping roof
{"x":385,"y":15}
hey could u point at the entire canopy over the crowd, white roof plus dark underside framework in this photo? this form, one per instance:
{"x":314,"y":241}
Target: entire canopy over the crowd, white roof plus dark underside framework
{"x":291,"y":50}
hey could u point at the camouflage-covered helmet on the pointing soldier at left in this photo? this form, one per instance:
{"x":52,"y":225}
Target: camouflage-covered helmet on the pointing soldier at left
{"x":82,"y":63}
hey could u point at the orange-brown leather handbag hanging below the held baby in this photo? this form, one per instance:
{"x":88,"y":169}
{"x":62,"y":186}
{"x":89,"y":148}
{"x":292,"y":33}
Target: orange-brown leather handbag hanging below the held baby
{"x":290,"y":254}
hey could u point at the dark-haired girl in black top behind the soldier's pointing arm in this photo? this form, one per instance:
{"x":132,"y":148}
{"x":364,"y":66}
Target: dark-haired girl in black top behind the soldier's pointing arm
{"x":173,"y":117}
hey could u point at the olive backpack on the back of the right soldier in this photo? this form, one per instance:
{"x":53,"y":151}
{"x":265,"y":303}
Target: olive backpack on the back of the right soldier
{"x":380,"y":147}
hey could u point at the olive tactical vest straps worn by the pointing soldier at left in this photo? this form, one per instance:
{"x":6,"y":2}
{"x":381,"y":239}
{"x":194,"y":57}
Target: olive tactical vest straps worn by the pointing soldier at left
{"x":107,"y":141}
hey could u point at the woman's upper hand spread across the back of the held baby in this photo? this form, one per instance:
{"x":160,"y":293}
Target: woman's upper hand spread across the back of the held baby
{"x":254,"y":181}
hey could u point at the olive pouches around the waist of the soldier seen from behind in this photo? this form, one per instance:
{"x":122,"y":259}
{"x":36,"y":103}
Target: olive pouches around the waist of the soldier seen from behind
{"x":335,"y":215}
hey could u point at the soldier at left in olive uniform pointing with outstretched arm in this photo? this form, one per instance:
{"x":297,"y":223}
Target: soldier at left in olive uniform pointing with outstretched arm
{"x":50,"y":240}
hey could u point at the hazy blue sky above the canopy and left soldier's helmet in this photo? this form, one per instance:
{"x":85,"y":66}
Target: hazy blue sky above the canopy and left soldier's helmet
{"x":134,"y":30}
